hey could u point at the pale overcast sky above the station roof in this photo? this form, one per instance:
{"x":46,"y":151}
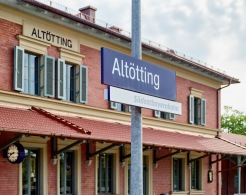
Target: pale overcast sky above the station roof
{"x":213,"y":31}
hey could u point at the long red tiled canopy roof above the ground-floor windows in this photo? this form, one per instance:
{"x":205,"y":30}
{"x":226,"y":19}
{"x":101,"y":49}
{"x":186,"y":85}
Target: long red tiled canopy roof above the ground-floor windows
{"x":30,"y":122}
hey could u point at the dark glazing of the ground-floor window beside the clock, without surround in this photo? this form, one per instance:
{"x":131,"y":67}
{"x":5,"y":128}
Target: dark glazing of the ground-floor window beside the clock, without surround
{"x":30,"y":172}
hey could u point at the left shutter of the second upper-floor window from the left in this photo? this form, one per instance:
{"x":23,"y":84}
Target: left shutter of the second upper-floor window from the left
{"x":61,"y":79}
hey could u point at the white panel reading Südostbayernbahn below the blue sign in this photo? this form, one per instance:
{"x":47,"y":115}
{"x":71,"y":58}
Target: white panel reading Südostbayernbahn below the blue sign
{"x":144,"y":101}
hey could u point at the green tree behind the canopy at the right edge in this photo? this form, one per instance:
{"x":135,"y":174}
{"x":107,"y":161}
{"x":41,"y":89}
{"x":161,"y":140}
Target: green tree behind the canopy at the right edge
{"x":233,"y":121}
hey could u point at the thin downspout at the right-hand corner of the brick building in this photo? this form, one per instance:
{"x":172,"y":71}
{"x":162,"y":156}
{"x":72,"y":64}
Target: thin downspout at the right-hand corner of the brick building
{"x":218,"y":178}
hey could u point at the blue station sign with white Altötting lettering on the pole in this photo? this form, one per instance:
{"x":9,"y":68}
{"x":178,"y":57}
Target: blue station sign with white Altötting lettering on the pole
{"x":123,"y":71}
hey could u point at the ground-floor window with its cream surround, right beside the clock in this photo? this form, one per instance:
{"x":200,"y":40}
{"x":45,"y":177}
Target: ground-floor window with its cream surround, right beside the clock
{"x":33,"y":177}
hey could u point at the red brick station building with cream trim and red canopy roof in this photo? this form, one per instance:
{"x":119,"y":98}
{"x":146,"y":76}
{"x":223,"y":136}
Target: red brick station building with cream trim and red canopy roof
{"x":70,"y":139}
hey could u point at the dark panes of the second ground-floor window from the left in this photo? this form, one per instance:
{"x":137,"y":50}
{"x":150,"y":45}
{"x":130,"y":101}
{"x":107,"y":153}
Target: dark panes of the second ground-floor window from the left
{"x":67,"y":173}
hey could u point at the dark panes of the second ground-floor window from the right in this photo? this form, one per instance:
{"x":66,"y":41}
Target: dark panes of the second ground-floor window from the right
{"x":178,"y":174}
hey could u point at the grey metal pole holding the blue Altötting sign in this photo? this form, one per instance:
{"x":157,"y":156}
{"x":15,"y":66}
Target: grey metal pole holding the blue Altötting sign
{"x":136,"y":115}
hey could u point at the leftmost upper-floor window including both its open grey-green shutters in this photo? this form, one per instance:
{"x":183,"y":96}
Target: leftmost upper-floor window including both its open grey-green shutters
{"x":33,"y":73}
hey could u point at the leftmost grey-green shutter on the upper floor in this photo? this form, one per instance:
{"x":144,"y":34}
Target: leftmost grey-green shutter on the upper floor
{"x":19,"y":68}
